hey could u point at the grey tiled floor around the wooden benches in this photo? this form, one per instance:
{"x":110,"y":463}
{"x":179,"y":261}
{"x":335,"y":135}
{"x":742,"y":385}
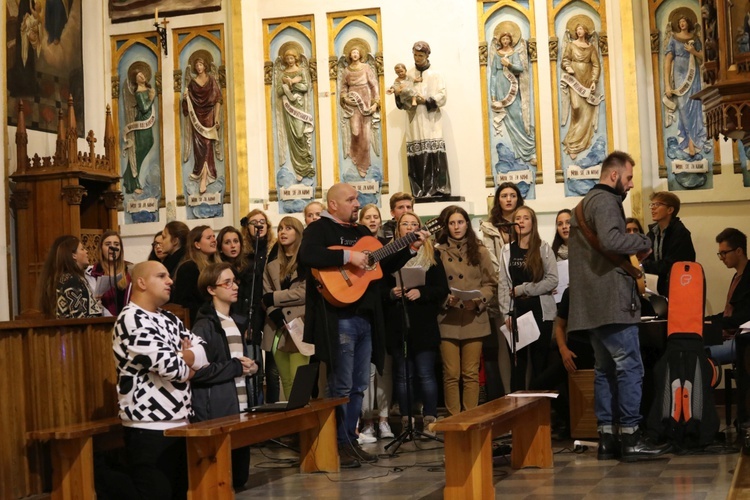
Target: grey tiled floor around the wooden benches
{"x":417,"y":472}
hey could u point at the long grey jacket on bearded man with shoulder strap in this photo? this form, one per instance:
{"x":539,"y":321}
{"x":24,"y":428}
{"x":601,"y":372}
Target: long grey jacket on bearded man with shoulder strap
{"x":601,"y":293}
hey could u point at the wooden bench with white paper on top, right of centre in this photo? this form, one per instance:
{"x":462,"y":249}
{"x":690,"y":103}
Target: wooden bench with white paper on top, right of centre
{"x":468,"y":443}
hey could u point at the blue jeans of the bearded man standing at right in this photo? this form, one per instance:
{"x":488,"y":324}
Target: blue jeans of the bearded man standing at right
{"x":618,"y":375}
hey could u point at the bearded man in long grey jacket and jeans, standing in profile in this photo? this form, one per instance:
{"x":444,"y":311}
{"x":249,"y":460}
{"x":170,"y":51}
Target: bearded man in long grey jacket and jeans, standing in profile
{"x":604,"y":301}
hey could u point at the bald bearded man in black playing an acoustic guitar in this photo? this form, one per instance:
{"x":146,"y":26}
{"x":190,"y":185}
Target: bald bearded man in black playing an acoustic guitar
{"x":347,"y":338}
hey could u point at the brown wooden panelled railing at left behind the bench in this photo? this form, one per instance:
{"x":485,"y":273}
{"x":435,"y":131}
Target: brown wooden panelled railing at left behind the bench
{"x":52,"y":373}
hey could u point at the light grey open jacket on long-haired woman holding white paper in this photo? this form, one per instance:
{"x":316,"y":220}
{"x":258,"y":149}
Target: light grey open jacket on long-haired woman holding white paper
{"x":543,"y":288}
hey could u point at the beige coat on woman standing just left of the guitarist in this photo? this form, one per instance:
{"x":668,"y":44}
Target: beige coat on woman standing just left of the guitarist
{"x":290,"y":301}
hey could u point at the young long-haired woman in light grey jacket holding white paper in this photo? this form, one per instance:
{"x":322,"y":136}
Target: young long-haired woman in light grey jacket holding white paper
{"x":528,"y":276}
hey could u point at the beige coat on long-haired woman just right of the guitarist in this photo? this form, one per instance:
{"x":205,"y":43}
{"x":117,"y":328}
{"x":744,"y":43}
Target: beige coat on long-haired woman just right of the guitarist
{"x":456,"y":322}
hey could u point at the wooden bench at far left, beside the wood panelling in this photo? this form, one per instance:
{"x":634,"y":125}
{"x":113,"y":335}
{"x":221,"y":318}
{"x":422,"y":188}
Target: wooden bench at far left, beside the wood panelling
{"x":72,"y":454}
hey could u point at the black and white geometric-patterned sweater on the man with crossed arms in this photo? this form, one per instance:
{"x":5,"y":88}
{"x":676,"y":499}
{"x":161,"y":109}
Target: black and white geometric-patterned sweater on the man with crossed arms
{"x":152,"y":380}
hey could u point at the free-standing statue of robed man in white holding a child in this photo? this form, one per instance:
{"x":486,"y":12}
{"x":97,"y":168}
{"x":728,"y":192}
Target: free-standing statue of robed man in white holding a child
{"x":425,"y":146}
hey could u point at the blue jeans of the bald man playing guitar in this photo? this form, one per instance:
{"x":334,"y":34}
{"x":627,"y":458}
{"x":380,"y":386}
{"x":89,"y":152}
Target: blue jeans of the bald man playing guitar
{"x":351,"y":375}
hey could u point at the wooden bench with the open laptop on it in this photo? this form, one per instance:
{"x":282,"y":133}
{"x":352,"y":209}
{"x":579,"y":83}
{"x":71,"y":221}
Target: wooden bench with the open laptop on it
{"x":209,"y":443}
